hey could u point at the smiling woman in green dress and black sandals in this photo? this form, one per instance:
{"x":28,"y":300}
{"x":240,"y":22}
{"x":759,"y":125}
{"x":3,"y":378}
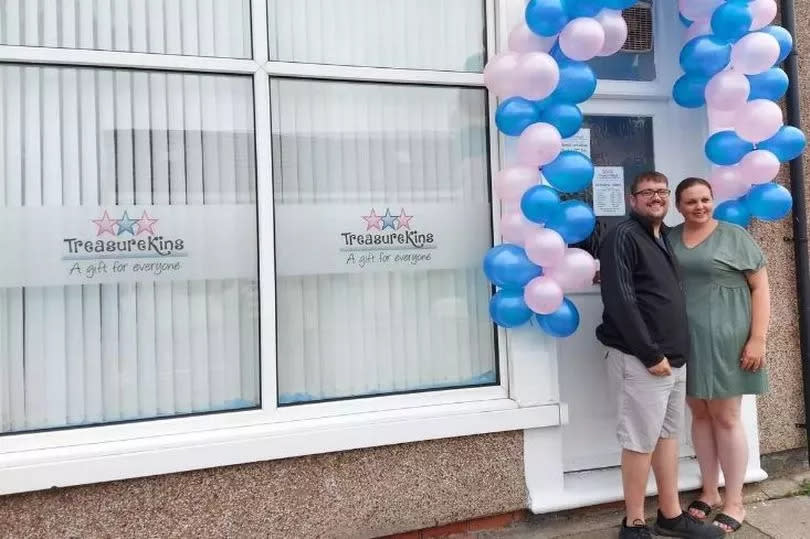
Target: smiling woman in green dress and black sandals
{"x":728,"y":305}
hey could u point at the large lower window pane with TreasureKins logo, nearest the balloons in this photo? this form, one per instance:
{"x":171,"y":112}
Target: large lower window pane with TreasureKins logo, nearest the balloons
{"x":382,"y":219}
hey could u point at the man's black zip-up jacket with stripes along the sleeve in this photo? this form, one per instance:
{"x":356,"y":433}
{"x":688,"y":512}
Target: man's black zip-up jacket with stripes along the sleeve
{"x":645,"y":310}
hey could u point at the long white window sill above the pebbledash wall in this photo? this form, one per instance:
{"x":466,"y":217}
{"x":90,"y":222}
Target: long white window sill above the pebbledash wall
{"x":29,"y":470}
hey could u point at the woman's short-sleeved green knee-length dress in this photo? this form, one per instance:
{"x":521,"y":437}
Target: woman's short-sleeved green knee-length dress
{"x":718,"y":304}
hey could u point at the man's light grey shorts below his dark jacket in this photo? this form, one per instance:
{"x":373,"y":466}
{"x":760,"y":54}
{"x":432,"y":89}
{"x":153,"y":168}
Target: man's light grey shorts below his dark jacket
{"x":650,"y":407}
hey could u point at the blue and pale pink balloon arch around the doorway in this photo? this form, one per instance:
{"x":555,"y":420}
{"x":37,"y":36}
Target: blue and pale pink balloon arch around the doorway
{"x":730,"y":61}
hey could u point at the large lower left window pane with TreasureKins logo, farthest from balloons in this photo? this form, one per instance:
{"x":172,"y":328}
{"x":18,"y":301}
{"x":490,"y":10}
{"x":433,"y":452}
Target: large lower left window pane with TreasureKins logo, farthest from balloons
{"x":120,"y":195}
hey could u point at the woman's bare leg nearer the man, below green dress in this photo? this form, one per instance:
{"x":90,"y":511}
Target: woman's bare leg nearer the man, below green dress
{"x":706,"y":451}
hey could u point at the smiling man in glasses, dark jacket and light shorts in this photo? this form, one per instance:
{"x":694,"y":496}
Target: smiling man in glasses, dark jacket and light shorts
{"x":644,"y":328}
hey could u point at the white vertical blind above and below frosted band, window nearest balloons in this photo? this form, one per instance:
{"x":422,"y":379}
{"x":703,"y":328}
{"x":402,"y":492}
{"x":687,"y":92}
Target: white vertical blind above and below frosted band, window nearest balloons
{"x":360,"y":334}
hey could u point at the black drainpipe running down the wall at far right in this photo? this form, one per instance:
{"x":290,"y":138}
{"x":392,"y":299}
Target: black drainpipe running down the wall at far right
{"x":800,"y":241}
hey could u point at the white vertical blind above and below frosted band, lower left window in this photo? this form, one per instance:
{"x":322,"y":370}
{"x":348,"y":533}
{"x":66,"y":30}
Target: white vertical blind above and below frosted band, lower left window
{"x":112,"y":138}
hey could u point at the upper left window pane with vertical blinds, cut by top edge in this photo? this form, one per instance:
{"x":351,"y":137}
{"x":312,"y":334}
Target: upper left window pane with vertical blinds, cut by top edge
{"x":187,"y":27}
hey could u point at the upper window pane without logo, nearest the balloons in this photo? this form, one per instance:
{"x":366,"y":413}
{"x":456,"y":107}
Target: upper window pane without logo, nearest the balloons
{"x":417,"y":34}
